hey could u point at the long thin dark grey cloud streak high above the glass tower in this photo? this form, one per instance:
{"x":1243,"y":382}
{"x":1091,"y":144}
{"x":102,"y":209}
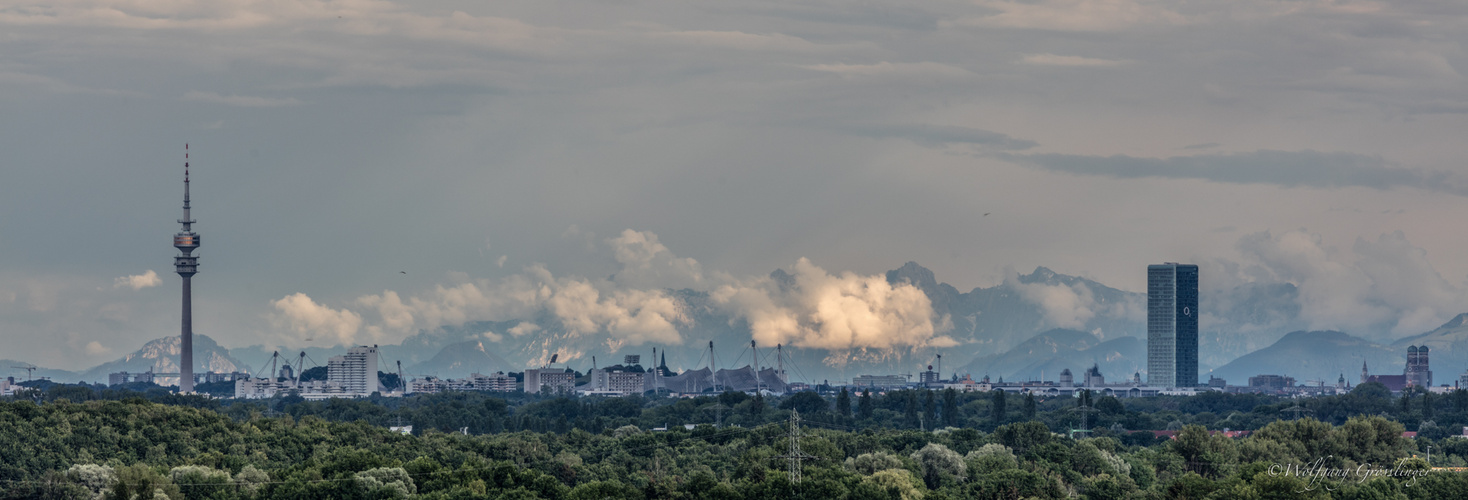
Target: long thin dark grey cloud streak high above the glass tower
{"x":1290,"y":169}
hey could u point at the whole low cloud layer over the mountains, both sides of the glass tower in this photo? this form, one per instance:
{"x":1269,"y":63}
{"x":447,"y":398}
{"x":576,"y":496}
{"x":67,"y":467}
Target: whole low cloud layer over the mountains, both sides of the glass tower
{"x":1281,"y":282}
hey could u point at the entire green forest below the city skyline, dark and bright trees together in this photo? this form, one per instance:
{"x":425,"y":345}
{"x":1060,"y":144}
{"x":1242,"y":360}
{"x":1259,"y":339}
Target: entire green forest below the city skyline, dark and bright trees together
{"x":80,"y":442}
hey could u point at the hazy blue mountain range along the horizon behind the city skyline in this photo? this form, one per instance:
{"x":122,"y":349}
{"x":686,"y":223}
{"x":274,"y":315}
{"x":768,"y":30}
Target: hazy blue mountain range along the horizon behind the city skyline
{"x":1027,"y":328}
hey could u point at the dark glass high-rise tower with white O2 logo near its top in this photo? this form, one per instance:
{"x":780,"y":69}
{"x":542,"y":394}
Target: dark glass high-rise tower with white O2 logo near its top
{"x":1172,"y":325}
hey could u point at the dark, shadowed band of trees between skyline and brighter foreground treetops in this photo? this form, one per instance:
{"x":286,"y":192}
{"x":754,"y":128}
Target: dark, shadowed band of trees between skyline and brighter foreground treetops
{"x":1432,"y":416}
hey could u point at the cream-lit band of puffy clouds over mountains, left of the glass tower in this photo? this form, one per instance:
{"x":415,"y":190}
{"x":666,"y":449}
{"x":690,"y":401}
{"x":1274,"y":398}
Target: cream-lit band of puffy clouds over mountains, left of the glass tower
{"x":807,"y":307}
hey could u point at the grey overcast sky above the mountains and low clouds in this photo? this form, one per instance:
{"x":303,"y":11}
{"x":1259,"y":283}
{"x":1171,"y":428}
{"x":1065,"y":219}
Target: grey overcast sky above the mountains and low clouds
{"x":338,"y":144}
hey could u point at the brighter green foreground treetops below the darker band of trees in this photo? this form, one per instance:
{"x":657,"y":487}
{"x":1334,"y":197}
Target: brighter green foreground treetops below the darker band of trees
{"x":139,"y":449}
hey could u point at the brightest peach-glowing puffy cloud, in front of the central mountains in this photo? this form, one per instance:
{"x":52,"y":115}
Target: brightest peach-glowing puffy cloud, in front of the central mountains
{"x":813,"y":309}
